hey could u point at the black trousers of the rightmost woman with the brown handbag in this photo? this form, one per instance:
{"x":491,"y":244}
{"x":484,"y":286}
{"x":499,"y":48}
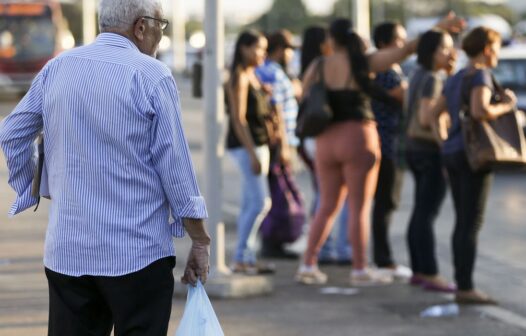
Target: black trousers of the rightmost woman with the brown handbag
{"x":470,"y":194}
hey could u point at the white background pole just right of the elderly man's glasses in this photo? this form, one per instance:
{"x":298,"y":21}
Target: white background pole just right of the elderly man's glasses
{"x":178,"y":35}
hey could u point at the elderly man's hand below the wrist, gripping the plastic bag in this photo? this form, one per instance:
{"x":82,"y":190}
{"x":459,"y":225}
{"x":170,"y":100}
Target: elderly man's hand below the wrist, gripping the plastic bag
{"x":197,"y":266}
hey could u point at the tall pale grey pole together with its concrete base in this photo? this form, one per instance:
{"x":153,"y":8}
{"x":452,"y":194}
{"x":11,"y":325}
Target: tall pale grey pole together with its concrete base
{"x":221,"y":283}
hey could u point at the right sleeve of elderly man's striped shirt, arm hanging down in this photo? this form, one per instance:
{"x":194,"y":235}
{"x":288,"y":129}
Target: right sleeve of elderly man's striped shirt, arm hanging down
{"x":171,"y":155}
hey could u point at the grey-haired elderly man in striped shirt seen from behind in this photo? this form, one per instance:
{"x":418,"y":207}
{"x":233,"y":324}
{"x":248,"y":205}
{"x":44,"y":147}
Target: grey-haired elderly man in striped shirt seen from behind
{"x":120,"y":177}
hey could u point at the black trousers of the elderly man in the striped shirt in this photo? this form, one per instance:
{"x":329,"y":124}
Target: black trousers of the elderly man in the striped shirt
{"x":135,"y":304}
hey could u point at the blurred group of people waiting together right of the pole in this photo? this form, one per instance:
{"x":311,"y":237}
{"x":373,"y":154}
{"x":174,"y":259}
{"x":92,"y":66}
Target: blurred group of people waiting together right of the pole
{"x":379,"y":118}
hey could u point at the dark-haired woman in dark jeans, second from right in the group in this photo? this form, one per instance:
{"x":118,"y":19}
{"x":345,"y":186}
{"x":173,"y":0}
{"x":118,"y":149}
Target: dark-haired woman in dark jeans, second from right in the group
{"x":435,"y":53}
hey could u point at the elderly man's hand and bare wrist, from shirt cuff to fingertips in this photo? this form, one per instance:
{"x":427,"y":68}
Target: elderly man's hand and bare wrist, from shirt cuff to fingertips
{"x":197,"y":266}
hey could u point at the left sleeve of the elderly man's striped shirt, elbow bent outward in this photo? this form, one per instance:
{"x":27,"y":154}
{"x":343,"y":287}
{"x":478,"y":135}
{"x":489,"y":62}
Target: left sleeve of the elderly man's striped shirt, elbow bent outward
{"x":17,"y":135}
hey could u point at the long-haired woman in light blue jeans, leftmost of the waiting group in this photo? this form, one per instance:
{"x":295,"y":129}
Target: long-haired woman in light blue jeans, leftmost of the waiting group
{"x":247,"y":142}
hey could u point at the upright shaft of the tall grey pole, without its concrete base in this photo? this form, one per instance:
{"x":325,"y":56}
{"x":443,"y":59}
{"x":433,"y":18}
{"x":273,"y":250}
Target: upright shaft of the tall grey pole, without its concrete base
{"x":213,"y":119}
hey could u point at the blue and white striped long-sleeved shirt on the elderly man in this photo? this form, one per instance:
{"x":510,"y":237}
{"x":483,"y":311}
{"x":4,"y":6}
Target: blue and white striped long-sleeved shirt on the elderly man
{"x":118,"y":163}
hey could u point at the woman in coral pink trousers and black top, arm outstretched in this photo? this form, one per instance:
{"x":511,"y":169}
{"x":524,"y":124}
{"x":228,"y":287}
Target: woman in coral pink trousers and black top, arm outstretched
{"x":348,"y":151}
